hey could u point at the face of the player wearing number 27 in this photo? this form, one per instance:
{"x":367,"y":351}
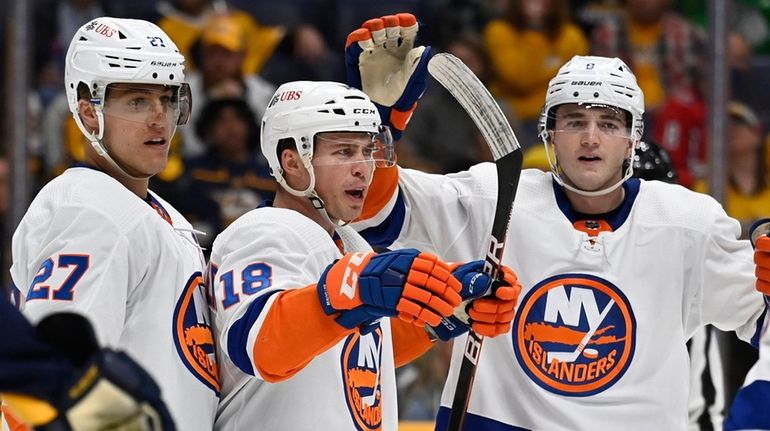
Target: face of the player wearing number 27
{"x":140,"y":120}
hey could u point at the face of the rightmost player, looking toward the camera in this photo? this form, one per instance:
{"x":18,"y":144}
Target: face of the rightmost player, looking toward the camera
{"x":591,"y":144}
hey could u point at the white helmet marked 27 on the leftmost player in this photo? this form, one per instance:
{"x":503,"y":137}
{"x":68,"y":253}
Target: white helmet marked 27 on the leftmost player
{"x":117,"y":50}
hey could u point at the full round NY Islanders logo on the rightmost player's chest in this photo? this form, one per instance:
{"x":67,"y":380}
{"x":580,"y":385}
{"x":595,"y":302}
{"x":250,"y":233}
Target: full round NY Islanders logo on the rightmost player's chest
{"x":574,"y":334}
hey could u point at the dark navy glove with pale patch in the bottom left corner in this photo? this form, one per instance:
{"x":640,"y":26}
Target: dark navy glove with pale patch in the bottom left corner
{"x":111,"y":391}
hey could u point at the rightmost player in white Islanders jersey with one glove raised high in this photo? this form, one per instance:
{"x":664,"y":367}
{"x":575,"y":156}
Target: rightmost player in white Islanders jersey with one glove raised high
{"x":598,"y":341}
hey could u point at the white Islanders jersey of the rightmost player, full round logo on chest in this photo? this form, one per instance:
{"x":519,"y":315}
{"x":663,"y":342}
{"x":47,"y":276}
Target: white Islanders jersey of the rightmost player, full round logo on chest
{"x":671,"y":264}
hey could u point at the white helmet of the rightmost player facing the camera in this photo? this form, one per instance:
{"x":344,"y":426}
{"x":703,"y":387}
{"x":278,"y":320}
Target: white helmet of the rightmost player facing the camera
{"x":593,"y":81}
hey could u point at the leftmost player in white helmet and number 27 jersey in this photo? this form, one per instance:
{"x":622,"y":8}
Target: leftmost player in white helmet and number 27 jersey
{"x":97,"y":242}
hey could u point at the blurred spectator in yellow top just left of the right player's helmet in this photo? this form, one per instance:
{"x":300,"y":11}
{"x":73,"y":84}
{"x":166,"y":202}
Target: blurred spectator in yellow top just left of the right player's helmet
{"x":526,"y":47}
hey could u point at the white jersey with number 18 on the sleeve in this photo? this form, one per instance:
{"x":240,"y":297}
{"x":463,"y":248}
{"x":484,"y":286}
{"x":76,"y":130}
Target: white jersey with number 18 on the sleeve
{"x":351,"y":386}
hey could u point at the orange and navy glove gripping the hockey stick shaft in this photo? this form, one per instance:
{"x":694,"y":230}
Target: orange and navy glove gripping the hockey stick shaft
{"x":489,"y":314}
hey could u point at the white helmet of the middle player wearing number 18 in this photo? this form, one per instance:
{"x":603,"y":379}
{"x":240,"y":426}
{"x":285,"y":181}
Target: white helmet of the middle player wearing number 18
{"x":300,"y":110}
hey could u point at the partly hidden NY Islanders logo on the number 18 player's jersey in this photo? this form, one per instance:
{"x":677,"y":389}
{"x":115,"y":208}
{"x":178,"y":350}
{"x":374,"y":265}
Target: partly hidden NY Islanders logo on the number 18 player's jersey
{"x":361,"y":374}
